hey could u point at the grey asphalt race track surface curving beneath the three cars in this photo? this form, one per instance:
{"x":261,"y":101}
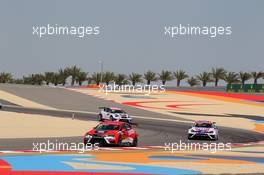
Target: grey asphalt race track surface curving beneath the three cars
{"x":151,"y":131}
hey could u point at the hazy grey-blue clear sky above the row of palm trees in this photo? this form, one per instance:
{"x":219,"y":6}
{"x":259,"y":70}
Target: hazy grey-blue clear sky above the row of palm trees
{"x":131,"y":35}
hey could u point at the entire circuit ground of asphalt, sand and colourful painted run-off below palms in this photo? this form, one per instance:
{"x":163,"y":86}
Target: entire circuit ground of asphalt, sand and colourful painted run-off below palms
{"x":37,"y":113}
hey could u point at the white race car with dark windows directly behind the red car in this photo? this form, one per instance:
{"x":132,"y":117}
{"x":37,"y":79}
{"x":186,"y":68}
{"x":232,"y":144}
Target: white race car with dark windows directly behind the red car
{"x":113,"y":114}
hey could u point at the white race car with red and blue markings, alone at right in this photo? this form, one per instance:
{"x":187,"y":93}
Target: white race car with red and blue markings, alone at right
{"x":203,"y":129}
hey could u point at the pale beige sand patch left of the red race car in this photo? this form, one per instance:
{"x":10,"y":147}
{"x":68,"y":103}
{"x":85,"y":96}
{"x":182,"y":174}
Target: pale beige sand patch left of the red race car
{"x":18,"y":125}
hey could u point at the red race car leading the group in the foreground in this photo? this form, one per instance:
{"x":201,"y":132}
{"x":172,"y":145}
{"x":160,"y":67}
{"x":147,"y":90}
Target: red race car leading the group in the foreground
{"x":112,"y":133}
